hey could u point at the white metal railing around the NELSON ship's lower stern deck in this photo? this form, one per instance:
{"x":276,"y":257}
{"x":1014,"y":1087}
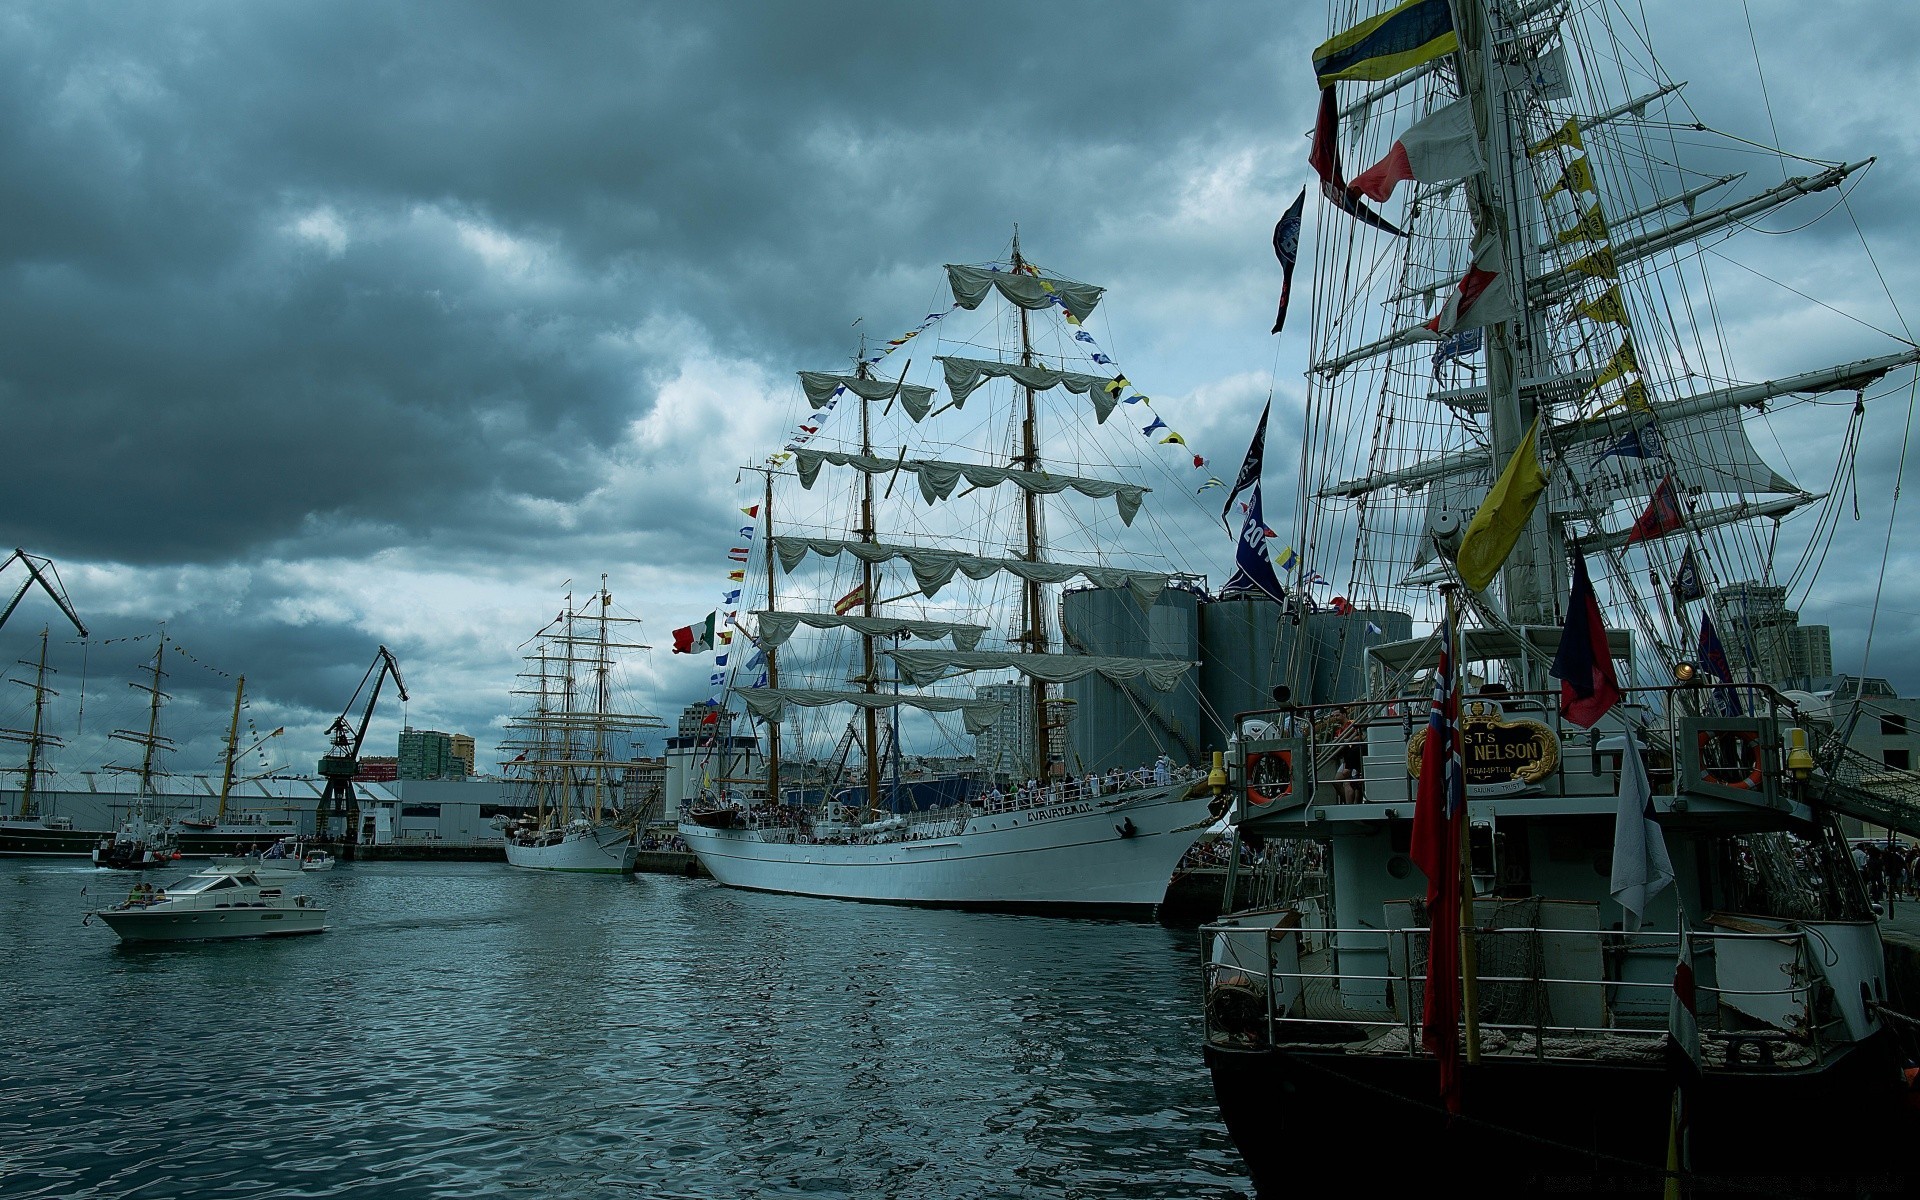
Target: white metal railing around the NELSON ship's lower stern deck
{"x":1264,"y":988}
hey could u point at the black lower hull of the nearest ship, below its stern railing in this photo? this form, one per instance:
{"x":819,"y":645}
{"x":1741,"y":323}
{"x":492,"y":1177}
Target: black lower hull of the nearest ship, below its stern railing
{"x":1570,"y":1128}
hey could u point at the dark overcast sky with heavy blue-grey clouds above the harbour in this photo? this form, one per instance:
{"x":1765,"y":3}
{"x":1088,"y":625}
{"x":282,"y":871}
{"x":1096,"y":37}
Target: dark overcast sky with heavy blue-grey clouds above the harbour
{"x":335,"y":325}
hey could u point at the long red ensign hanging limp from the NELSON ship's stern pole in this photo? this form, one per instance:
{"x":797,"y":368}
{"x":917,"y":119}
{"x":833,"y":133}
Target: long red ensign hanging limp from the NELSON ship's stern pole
{"x":1439,"y":823}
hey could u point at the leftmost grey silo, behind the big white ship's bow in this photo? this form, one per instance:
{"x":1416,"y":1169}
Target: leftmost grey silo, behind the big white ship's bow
{"x":1128,"y":725}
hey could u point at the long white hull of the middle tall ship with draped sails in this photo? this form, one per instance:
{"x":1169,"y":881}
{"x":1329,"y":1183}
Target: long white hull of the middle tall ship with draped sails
{"x":1080,"y":857}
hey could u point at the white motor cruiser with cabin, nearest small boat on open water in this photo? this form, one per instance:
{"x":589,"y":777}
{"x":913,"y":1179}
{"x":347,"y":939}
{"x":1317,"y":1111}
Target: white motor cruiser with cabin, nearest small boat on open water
{"x":214,"y":905}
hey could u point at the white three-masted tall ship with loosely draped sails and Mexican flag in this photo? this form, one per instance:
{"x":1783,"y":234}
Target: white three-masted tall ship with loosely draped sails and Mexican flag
{"x":1055,"y":838}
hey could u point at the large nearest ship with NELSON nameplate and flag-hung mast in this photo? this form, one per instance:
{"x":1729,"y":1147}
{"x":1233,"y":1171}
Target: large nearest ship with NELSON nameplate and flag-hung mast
{"x":1552,"y":229}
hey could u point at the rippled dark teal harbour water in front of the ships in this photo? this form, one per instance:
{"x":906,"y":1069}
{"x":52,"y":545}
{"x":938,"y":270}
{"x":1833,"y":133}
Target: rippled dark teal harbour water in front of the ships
{"x":473,"y":1030}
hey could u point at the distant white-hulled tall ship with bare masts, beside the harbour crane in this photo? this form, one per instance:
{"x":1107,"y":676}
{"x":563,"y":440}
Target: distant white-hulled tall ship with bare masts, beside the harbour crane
{"x":575,"y":746}
